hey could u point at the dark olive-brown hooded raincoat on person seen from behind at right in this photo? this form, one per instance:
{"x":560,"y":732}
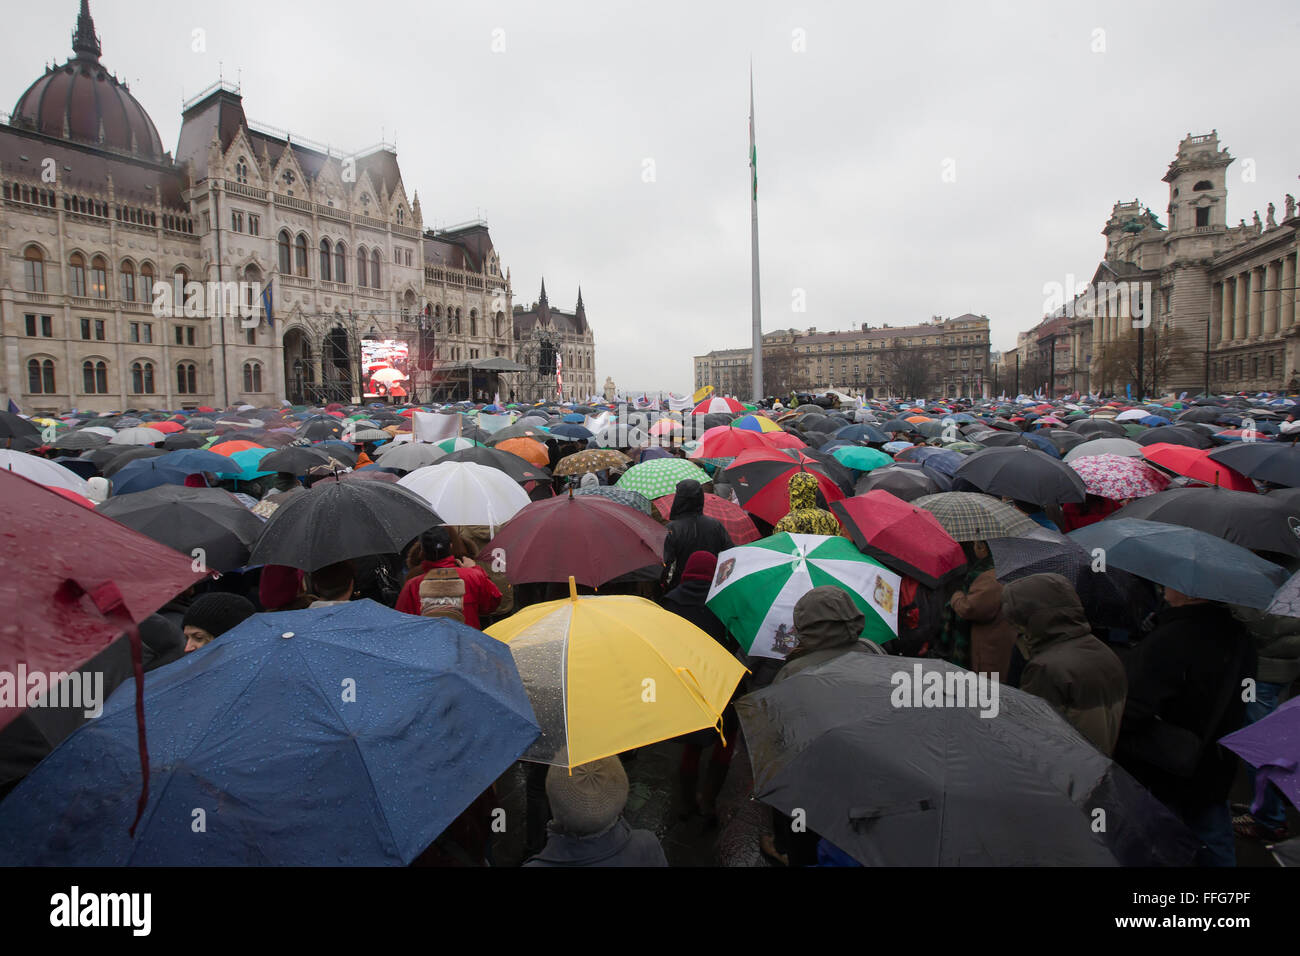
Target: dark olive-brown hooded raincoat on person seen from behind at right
{"x":1065,"y":664}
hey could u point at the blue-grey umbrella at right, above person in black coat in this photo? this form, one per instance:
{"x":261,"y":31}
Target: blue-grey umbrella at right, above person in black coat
{"x":1194,"y":563}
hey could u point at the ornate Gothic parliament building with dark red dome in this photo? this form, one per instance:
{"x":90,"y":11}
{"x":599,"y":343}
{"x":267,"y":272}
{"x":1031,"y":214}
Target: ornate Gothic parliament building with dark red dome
{"x":94,"y":215}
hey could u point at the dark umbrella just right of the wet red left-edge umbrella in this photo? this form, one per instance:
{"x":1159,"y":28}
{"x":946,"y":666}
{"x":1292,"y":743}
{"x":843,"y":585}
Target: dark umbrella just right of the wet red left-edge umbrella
{"x":210,"y":520}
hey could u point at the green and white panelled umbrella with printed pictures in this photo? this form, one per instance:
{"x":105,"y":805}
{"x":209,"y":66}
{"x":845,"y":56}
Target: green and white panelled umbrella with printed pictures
{"x":757,"y":586}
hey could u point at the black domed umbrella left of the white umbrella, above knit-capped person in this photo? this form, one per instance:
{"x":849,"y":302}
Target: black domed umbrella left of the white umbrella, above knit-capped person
{"x":339,"y":521}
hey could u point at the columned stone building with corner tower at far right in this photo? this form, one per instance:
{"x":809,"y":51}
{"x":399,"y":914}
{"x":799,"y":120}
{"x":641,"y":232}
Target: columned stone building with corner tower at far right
{"x":1225,"y":296}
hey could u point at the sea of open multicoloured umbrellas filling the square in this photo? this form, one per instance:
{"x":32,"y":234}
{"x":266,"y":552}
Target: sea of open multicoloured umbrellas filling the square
{"x":112,"y":516}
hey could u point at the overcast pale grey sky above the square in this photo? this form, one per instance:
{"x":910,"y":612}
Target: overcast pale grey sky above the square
{"x":859,"y":107}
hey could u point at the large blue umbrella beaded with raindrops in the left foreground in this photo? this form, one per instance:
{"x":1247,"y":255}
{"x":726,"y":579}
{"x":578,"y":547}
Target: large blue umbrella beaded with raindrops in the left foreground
{"x":345,"y":736}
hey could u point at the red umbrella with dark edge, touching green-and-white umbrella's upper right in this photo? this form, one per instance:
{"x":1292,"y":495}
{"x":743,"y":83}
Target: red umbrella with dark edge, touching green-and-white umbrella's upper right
{"x":904,"y":538}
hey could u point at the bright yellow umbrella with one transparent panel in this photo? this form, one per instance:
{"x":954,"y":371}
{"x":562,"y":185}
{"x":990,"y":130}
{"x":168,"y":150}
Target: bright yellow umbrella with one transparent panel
{"x":613,"y":673}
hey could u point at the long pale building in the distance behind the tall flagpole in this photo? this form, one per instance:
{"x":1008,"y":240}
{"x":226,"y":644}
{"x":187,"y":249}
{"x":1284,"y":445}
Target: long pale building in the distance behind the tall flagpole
{"x":859,"y":361}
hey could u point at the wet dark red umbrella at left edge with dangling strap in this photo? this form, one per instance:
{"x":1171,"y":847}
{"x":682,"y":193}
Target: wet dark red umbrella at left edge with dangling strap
{"x":75,"y":582}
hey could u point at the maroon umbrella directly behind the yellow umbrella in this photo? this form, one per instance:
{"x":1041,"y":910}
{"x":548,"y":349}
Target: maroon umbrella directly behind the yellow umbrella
{"x":591,"y":539}
